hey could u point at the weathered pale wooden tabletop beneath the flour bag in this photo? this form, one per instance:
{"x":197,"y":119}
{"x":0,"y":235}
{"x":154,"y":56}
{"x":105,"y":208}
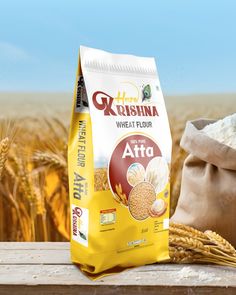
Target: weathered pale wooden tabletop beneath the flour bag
{"x":45,"y":268}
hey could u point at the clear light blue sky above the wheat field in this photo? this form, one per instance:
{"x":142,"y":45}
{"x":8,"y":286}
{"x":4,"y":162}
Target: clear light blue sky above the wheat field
{"x":194,"y":42}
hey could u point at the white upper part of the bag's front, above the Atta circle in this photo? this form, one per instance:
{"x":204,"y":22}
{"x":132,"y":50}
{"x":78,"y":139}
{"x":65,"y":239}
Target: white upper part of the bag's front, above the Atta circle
{"x":123,"y":78}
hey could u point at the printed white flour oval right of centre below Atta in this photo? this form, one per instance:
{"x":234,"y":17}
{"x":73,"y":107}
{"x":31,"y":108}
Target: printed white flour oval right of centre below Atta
{"x":157,"y":173}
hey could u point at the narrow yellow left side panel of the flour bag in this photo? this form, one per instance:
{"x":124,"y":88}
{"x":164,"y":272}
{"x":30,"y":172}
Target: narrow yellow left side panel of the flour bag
{"x":80,"y":166}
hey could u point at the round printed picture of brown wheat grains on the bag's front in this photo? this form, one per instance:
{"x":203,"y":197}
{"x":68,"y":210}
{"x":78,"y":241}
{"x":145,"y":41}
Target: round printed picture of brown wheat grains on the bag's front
{"x":141,"y":197}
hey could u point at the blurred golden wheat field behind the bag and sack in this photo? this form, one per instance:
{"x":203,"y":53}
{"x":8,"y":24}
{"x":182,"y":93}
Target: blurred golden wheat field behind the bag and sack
{"x":34,"y":201}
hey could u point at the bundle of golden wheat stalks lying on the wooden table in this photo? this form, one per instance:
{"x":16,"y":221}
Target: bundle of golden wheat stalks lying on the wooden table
{"x":207,"y":247}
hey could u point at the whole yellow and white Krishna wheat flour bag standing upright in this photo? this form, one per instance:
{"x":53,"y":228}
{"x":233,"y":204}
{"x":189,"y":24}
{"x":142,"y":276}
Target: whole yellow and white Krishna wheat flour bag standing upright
{"x":119,"y":158}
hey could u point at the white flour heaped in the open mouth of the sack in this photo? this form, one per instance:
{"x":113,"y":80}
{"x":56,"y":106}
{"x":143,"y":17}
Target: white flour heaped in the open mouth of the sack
{"x":223,"y":131}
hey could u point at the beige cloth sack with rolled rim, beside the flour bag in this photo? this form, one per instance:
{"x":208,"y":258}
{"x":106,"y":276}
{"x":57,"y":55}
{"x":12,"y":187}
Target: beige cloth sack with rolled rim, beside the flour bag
{"x":208,"y":190}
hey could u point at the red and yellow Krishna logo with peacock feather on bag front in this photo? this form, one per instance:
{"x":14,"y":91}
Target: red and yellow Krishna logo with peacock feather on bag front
{"x":123,"y":105}
